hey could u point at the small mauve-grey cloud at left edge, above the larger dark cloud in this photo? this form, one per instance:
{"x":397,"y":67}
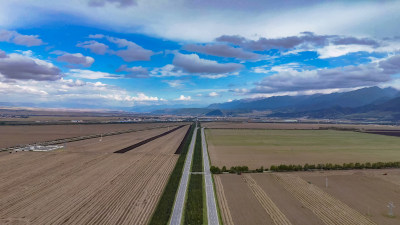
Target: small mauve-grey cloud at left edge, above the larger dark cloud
{"x":19,"y":39}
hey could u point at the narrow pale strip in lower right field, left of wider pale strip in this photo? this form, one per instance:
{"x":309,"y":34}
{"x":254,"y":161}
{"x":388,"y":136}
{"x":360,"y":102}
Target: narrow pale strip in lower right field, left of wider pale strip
{"x":273,"y":211}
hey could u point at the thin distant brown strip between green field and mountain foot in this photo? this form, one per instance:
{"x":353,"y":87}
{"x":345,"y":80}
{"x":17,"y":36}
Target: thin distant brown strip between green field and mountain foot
{"x":294,"y":126}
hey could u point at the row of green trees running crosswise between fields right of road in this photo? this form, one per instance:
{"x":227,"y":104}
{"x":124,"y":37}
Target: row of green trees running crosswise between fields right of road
{"x":307,"y":167}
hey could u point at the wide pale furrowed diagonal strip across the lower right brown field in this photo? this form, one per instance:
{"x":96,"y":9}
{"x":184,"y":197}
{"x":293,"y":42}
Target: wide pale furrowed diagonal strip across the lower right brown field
{"x":330,"y":210}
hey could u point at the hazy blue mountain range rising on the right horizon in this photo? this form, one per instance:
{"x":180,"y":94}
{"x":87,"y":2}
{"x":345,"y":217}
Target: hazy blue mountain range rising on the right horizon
{"x":371,"y":103}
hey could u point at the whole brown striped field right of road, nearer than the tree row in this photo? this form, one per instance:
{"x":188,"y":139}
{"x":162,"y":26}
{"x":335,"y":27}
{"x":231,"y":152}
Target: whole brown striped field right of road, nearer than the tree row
{"x":352,"y":197}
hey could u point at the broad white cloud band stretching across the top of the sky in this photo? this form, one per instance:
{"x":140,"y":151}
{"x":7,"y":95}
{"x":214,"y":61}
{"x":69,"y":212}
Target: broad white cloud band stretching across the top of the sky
{"x":176,"y":20}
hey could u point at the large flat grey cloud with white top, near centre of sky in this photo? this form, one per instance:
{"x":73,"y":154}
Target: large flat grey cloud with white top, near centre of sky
{"x":192,"y":63}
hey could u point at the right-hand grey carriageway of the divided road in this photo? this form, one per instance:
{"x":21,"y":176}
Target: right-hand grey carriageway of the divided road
{"x":212,"y":213}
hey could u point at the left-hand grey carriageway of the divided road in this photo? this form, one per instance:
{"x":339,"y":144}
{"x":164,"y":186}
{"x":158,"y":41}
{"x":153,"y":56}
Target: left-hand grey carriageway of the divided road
{"x":180,"y":197}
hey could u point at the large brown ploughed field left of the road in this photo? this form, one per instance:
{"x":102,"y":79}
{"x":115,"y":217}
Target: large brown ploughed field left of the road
{"x":86,"y":183}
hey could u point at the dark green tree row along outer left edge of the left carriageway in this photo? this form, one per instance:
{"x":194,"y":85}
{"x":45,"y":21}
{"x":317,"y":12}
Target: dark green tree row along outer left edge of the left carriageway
{"x":164,"y":208}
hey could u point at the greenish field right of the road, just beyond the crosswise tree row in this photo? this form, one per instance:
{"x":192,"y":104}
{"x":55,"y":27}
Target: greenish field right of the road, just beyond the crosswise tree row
{"x":256,"y":148}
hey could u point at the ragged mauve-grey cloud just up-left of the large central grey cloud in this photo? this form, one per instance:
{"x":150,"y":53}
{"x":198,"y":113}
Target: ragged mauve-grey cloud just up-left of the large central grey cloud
{"x":133,"y":52}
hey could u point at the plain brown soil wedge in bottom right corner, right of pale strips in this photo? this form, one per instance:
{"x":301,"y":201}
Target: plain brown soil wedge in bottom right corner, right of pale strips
{"x":369,"y":192}
